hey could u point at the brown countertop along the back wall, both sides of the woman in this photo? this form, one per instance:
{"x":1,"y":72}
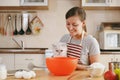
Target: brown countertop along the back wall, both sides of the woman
{"x":42,"y":51}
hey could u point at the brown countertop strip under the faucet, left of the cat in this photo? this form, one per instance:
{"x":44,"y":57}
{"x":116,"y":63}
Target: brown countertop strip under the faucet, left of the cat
{"x":19,"y":50}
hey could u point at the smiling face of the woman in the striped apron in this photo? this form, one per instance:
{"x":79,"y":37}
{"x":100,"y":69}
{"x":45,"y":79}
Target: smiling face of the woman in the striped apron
{"x":74,"y":26}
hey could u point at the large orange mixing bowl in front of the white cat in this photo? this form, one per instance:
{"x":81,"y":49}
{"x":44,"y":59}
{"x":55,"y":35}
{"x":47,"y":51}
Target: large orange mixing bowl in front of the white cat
{"x":61,"y":66}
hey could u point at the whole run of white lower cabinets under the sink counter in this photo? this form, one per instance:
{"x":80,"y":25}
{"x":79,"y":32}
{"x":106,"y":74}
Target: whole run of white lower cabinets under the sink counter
{"x":21,"y":61}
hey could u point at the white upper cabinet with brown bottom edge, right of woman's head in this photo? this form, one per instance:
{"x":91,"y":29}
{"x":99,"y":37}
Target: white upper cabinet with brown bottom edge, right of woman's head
{"x":101,"y":4}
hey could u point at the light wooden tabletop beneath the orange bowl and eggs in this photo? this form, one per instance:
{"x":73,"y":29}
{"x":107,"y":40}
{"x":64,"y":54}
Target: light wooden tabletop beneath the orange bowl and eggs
{"x":46,"y":75}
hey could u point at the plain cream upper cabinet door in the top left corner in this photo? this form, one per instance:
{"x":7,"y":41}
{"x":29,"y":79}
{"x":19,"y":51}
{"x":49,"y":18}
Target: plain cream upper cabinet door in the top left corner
{"x":9,"y":3}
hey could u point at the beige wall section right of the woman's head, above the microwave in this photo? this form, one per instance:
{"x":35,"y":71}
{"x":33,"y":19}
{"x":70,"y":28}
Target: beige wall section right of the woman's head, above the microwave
{"x":95,"y":17}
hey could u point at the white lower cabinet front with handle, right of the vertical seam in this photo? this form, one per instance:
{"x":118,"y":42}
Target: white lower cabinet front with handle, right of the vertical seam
{"x":22,"y":60}
